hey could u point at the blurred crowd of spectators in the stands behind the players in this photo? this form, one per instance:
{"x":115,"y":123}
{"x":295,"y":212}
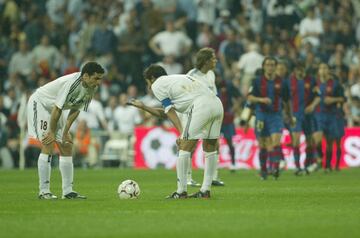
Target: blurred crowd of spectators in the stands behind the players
{"x":41,"y":40}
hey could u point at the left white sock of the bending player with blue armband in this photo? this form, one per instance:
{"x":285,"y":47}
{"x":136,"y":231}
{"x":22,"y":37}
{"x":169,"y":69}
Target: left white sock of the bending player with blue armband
{"x":181,"y":170}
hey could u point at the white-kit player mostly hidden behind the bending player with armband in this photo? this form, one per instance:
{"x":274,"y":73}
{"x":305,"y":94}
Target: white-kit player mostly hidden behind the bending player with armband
{"x":205,"y":63}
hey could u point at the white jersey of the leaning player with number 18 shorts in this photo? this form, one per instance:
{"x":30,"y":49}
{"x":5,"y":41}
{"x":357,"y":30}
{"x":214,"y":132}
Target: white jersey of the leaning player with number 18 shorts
{"x":66,"y":93}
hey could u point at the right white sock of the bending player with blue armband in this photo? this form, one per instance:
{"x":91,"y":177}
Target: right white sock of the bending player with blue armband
{"x":211,"y":159}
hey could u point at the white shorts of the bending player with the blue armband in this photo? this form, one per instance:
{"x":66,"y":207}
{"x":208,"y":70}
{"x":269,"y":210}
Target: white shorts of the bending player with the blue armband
{"x":204,"y":119}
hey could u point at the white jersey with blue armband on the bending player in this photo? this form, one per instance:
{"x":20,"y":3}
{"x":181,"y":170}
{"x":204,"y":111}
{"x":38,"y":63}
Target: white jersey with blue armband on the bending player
{"x":179,"y":91}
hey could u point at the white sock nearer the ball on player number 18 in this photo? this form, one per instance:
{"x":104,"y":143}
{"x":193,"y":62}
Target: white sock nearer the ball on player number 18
{"x":67,"y":173}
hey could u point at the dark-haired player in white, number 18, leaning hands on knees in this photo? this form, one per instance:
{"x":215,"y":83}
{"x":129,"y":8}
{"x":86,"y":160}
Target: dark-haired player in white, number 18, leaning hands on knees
{"x":52,"y":109}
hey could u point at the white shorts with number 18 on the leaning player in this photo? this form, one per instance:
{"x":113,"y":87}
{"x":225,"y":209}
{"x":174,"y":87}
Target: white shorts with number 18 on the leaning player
{"x":38,"y":118}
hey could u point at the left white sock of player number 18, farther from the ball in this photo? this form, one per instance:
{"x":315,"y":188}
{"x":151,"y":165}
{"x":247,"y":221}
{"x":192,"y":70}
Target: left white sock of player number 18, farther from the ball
{"x":44,"y":171}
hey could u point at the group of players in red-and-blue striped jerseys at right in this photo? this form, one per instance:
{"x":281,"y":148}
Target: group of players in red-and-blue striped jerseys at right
{"x":299,"y":102}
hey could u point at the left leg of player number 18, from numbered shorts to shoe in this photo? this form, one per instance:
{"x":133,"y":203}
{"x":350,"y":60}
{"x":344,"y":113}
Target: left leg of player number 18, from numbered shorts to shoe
{"x":38,"y":125}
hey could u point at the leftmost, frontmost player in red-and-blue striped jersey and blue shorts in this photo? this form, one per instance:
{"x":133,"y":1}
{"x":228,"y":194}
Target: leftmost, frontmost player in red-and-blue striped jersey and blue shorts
{"x":267,"y":93}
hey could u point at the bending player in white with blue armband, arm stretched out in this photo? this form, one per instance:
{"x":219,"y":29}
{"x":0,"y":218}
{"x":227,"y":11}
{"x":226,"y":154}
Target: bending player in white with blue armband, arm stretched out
{"x":183,"y":94}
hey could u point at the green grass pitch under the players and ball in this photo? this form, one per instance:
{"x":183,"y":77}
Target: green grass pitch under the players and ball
{"x":319,"y":205}
